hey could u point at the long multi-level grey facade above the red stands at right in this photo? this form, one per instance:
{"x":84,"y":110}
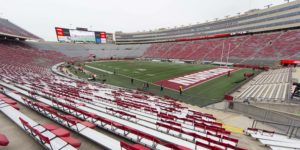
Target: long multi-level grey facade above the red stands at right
{"x":274,"y":18}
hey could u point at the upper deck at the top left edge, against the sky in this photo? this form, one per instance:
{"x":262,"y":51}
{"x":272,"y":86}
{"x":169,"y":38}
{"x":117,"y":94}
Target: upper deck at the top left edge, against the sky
{"x":9,"y":29}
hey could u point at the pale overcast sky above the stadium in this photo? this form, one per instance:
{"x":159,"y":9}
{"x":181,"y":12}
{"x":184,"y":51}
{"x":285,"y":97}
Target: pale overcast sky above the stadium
{"x":41,"y":16}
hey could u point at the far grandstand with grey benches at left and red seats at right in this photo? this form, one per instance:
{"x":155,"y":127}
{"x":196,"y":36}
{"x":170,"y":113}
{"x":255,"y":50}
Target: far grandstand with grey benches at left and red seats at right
{"x":265,"y":47}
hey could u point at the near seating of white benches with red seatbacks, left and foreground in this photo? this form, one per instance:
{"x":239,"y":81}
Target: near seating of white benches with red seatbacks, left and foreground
{"x":151,"y":121}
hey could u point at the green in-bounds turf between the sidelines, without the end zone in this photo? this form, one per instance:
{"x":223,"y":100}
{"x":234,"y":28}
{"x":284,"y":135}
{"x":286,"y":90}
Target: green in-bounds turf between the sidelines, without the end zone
{"x":149,"y":71}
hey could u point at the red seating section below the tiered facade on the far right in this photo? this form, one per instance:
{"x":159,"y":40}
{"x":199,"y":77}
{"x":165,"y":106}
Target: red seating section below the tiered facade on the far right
{"x":275,"y":45}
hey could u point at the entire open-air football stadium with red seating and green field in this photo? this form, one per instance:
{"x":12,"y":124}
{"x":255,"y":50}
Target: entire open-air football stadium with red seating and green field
{"x":226,"y":84}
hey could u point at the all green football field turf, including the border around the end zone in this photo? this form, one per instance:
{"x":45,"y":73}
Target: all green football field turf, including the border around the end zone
{"x":120,"y":73}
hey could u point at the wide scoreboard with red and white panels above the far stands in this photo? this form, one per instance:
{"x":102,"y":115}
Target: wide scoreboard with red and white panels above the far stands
{"x":82,"y":36}
